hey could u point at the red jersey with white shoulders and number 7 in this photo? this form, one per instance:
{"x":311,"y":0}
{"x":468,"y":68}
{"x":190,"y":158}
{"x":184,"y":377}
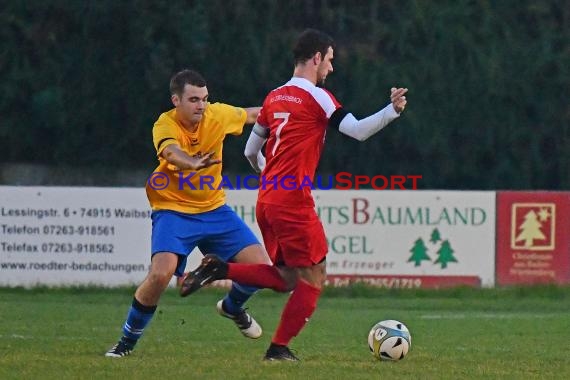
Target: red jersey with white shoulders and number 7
{"x":296,"y":115}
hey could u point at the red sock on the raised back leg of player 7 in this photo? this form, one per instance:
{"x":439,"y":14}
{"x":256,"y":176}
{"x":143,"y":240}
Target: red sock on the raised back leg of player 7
{"x":259,"y":275}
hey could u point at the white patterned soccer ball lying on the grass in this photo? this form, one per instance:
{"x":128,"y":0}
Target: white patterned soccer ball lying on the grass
{"x":389,"y":340}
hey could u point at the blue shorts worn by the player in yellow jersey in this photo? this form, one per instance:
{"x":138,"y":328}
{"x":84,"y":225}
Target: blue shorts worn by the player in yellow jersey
{"x":219,"y":231}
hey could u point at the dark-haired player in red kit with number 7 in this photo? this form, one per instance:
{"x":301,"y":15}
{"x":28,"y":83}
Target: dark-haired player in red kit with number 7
{"x":293,"y":123}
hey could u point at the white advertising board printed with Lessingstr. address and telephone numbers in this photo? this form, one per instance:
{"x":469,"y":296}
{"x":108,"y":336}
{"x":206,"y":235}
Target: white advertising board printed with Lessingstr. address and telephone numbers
{"x":73,"y":236}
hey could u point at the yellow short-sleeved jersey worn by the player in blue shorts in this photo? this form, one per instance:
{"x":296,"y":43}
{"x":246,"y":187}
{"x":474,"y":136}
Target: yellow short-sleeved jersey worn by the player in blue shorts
{"x":191,"y":191}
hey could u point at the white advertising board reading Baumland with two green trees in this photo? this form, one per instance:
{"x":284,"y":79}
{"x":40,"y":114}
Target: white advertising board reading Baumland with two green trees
{"x":410,"y":238}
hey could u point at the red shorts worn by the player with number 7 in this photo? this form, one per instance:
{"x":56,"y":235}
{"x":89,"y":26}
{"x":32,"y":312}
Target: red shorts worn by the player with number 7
{"x":293,"y":236}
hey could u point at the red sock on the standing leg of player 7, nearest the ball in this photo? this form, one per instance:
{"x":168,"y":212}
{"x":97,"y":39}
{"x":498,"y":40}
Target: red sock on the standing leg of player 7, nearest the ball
{"x":298,"y":309}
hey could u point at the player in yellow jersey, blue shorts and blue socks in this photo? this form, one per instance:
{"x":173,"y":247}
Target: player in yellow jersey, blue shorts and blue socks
{"x":189,"y":209}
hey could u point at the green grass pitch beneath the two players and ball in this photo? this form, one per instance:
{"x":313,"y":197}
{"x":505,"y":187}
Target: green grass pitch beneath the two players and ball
{"x":513,"y":333}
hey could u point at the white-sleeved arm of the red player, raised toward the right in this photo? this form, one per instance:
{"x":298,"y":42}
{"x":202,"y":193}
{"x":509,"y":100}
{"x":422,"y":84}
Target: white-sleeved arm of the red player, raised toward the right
{"x":364,"y":128}
